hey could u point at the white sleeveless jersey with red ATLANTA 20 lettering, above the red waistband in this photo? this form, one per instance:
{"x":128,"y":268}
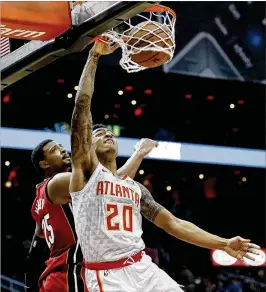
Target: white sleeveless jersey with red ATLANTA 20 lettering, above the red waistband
{"x":107,"y":217}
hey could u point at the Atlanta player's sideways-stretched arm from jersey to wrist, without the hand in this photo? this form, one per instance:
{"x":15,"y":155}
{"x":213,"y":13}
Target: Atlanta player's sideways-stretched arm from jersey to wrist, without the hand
{"x":178,"y":228}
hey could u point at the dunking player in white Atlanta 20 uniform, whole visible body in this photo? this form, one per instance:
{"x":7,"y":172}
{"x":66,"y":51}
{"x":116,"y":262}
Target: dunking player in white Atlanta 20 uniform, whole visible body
{"x":107,"y":208}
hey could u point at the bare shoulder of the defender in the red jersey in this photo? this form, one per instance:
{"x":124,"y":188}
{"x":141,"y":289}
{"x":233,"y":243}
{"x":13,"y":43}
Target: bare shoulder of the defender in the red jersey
{"x":58,"y":189}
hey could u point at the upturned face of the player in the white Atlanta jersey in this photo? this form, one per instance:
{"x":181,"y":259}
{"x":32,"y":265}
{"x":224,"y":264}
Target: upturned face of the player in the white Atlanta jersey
{"x":104,"y":141}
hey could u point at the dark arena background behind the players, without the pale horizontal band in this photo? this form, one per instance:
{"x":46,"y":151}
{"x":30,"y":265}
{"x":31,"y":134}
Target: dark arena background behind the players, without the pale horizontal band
{"x":222,"y":199}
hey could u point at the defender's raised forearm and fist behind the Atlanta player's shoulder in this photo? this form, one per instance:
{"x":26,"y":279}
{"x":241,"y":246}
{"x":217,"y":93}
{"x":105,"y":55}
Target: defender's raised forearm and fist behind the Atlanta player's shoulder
{"x":142,"y":148}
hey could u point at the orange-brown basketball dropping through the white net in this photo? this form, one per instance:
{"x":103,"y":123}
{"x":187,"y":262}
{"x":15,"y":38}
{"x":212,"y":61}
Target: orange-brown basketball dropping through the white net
{"x":150,"y":59}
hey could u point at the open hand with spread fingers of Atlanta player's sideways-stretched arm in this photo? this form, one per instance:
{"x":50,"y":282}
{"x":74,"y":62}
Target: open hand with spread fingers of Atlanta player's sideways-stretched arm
{"x":239,"y":248}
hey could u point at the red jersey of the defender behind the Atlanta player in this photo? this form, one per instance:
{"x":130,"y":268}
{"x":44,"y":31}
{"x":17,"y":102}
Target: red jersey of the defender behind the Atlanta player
{"x":57,"y":223}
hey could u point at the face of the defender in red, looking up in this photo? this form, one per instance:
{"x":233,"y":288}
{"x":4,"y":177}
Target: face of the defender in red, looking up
{"x":56,"y":157}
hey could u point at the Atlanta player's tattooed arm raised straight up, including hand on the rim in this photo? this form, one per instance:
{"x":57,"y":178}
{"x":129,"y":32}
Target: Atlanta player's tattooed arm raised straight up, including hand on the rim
{"x":84,"y":159}
